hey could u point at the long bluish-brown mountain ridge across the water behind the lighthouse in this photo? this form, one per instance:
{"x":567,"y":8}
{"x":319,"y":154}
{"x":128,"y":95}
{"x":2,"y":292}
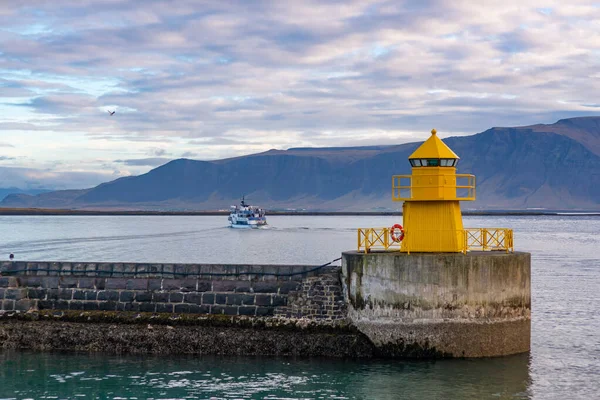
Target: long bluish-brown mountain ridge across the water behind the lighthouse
{"x":541,"y":166}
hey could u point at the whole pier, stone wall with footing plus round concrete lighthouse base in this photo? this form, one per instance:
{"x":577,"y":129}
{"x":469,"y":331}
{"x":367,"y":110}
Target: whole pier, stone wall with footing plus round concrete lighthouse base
{"x":389,"y":304}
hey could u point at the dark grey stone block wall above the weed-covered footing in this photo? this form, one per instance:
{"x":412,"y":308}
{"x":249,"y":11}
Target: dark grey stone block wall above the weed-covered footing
{"x":245,"y":290}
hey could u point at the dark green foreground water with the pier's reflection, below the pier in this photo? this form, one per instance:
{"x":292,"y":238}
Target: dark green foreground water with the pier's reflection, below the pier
{"x":28,"y":375}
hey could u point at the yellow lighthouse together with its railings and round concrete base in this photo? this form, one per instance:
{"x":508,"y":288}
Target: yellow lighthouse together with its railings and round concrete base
{"x":433,"y":260}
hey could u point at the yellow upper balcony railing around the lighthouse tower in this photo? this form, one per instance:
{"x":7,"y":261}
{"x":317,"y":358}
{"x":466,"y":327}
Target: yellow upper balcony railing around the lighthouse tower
{"x":402,"y":191}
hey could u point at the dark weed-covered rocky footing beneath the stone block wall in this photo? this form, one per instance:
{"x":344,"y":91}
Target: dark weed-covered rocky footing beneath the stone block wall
{"x":166,"y":334}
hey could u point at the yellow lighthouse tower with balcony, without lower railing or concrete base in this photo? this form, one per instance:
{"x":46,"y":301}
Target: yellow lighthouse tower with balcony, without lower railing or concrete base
{"x":431,"y":195}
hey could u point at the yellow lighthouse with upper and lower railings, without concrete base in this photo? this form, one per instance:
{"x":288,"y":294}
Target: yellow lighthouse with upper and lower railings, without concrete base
{"x":431,"y":209}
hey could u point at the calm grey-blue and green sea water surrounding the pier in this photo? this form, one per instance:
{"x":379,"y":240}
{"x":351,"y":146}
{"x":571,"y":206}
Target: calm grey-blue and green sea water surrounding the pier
{"x":564,"y":362}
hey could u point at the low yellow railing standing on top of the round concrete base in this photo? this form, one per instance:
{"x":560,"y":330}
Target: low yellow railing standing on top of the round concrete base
{"x":470,"y":239}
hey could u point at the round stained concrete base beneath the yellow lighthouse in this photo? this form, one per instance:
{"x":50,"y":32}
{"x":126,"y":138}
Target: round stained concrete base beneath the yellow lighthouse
{"x":440,"y":304}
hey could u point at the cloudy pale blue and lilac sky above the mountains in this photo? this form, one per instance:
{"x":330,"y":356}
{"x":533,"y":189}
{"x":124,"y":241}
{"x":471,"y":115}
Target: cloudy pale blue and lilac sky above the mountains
{"x":214,"y":79}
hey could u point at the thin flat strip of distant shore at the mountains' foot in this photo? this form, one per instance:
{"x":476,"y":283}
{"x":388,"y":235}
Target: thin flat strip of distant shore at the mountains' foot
{"x":66,"y":212}
